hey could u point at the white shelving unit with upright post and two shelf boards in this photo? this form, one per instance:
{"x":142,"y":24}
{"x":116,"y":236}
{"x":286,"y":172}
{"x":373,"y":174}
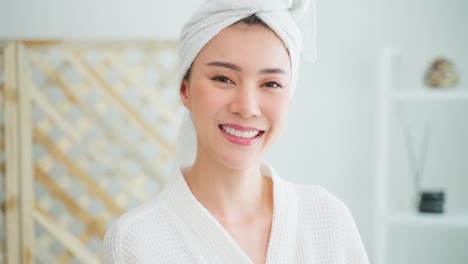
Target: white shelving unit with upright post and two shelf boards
{"x":389,"y":97}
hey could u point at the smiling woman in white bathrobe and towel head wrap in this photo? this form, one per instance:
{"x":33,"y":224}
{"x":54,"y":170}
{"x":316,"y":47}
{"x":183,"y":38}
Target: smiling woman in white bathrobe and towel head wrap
{"x":238,"y":68}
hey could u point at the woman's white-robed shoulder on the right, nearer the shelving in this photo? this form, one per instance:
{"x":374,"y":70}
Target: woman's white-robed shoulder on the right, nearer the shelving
{"x":327,"y":226}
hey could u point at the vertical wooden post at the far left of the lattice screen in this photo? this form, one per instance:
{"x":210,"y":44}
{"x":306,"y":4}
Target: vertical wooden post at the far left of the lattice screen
{"x":17,"y":177}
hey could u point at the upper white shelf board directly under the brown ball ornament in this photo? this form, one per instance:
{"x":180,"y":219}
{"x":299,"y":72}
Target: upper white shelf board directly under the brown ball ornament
{"x":432,"y":95}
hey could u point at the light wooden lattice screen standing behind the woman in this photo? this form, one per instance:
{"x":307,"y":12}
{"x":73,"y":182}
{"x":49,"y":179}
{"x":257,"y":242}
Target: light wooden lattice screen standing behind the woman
{"x":103,"y":121}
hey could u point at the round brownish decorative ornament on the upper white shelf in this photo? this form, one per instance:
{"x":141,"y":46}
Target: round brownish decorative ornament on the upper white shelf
{"x":441,"y":74}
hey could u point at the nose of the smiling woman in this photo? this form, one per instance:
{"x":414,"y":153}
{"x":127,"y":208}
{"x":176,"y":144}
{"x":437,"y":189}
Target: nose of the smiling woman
{"x":246,"y":101}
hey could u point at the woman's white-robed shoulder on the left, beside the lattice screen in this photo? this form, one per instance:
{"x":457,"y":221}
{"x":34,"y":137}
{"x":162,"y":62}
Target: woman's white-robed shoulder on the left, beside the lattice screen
{"x":131,"y":234}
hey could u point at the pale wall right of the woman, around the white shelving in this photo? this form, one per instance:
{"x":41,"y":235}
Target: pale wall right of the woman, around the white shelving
{"x":332,"y":121}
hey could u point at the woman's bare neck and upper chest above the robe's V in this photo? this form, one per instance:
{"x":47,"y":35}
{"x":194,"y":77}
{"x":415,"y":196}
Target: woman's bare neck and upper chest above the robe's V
{"x":230,"y":195}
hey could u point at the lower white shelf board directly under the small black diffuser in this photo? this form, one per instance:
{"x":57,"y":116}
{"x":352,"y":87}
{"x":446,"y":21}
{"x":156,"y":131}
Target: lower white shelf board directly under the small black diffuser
{"x":426,"y":219}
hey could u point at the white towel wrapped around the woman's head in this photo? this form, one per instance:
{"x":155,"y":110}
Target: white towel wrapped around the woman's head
{"x":285,"y":17}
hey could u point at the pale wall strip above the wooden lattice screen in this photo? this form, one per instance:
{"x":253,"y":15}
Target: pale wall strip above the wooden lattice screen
{"x":102,"y":19}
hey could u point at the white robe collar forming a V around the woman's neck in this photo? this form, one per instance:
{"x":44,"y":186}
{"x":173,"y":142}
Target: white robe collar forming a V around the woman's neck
{"x":211,"y":243}
